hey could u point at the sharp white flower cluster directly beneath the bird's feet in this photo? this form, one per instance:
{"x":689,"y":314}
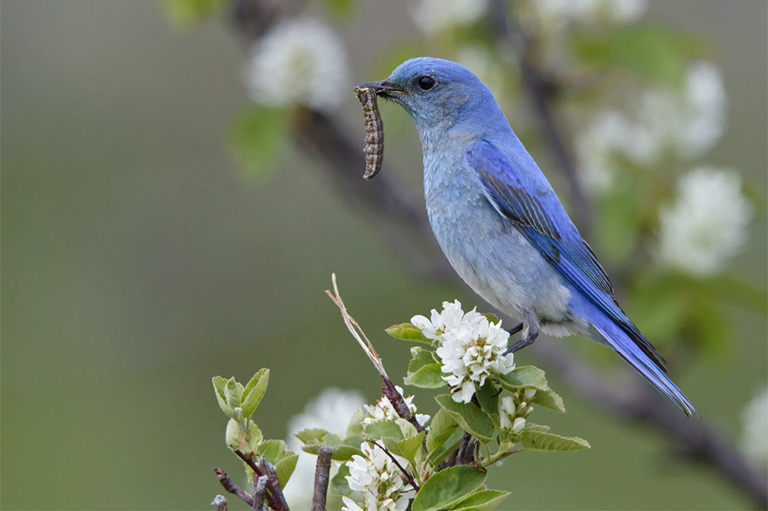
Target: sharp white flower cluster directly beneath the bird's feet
{"x":471,"y":347}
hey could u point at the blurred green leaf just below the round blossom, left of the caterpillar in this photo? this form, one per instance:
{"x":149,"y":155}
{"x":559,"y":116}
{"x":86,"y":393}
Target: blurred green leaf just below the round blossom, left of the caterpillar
{"x":257,"y":137}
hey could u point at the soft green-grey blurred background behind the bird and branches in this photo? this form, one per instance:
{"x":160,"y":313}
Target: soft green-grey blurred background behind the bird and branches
{"x":163,"y":222}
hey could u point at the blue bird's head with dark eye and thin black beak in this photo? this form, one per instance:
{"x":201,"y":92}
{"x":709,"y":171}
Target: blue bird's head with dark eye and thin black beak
{"x":436,"y":93}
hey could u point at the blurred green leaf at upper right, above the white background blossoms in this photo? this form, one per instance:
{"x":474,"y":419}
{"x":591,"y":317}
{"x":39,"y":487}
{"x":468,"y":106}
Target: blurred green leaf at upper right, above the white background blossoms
{"x":656,"y":54}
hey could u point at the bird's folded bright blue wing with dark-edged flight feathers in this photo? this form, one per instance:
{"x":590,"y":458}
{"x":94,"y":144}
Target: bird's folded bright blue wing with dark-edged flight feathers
{"x":537,"y":213}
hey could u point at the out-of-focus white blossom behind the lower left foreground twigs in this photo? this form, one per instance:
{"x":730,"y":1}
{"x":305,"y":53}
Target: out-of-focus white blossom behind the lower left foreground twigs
{"x":331,"y":411}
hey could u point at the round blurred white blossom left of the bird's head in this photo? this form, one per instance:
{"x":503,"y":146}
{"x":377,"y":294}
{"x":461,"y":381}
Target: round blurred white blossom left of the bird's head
{"x":299,"y":61}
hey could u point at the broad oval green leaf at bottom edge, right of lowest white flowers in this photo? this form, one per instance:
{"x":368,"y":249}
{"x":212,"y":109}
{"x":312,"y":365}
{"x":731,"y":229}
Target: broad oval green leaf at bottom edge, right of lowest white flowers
{"x":444,"y":489}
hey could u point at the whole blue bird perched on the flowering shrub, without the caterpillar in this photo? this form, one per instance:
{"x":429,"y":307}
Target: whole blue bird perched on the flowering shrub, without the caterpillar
{"x":501,"y":225}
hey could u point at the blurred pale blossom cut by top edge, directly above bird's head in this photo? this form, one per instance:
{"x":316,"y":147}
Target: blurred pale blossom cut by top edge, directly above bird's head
{"x":436,"y":15}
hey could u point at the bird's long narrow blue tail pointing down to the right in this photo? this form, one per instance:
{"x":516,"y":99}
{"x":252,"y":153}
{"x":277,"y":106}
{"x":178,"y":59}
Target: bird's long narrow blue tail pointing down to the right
{"x":628,"y":349}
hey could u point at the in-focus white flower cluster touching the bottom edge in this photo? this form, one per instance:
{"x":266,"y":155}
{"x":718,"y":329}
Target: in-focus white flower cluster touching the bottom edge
{"x":381,"y":482}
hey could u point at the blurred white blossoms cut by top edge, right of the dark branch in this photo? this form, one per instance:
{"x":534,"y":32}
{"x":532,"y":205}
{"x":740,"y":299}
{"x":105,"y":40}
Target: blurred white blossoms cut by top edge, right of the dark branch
{"x":589,"y":11}
